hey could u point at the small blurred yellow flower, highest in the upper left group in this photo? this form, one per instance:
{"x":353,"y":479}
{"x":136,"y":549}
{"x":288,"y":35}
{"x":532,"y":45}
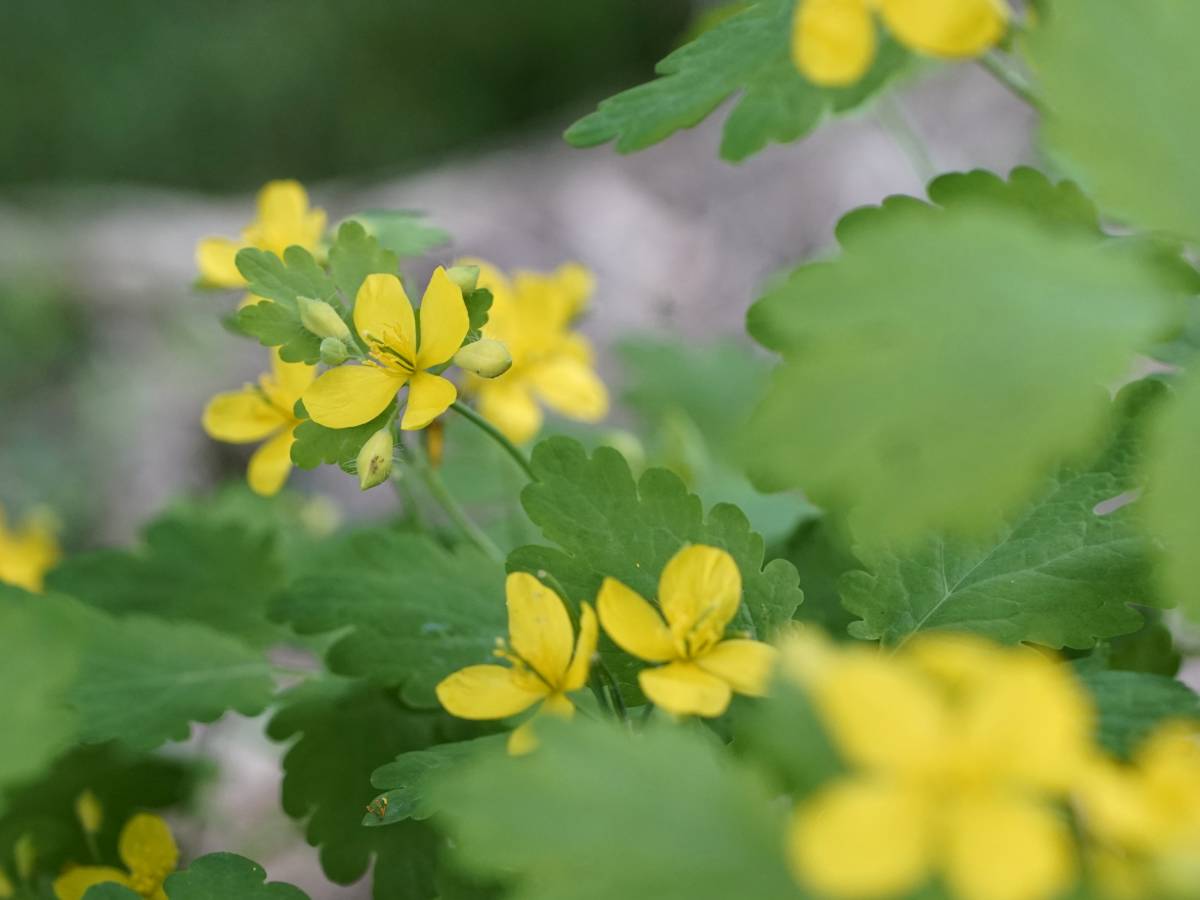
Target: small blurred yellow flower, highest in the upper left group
{"x":284,"y":220}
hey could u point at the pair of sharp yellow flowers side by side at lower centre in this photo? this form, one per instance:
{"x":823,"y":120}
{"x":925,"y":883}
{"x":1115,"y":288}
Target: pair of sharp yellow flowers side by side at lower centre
{"x":695,"y":670}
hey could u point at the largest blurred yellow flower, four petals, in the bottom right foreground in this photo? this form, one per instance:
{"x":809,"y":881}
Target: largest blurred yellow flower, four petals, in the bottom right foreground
{"x":958,"y":752}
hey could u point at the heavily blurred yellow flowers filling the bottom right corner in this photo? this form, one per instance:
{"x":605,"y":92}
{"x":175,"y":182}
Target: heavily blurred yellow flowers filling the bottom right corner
{"x":969,"y":763}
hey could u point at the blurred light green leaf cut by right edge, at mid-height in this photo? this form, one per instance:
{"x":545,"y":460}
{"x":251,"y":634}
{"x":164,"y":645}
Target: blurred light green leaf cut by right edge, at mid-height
{"x":1173,"y":499}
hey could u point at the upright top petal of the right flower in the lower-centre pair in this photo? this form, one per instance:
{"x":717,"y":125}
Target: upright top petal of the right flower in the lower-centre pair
{"x":700,"y":591}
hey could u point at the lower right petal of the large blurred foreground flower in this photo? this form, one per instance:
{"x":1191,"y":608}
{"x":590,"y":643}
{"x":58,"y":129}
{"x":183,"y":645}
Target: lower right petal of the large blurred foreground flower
{"x":1005,"y":848}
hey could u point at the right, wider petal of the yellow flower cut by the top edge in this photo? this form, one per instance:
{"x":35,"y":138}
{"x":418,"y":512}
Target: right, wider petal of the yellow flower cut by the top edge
{"x":947,"y":28}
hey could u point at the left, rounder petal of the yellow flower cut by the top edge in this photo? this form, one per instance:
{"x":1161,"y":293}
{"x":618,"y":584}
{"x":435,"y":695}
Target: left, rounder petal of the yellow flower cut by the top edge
{"x":833,"y":41}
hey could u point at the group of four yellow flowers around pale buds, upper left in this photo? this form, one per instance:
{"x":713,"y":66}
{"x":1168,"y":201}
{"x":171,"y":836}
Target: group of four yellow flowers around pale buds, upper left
{"x":531,"y":316}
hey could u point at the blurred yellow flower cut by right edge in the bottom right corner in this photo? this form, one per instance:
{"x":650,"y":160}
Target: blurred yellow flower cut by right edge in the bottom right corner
{"x":1145,"y":818}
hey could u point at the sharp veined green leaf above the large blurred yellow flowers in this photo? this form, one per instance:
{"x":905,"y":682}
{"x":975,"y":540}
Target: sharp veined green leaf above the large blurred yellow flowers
{"x":1058,"y":574}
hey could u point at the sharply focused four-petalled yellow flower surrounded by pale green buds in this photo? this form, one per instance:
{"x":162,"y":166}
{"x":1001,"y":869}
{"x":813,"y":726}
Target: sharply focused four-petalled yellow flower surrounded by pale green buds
{"x":383,"y":315}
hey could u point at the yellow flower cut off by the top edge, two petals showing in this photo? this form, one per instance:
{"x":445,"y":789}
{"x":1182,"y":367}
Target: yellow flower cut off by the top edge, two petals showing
{"x":833,"y":41}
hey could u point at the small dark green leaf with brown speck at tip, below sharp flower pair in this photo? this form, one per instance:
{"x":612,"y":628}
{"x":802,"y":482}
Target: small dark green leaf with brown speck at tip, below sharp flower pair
{"x":406,"y":781}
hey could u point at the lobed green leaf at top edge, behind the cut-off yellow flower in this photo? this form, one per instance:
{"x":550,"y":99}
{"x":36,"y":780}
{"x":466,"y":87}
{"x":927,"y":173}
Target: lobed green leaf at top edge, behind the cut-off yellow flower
{"x":748,"y":53}
